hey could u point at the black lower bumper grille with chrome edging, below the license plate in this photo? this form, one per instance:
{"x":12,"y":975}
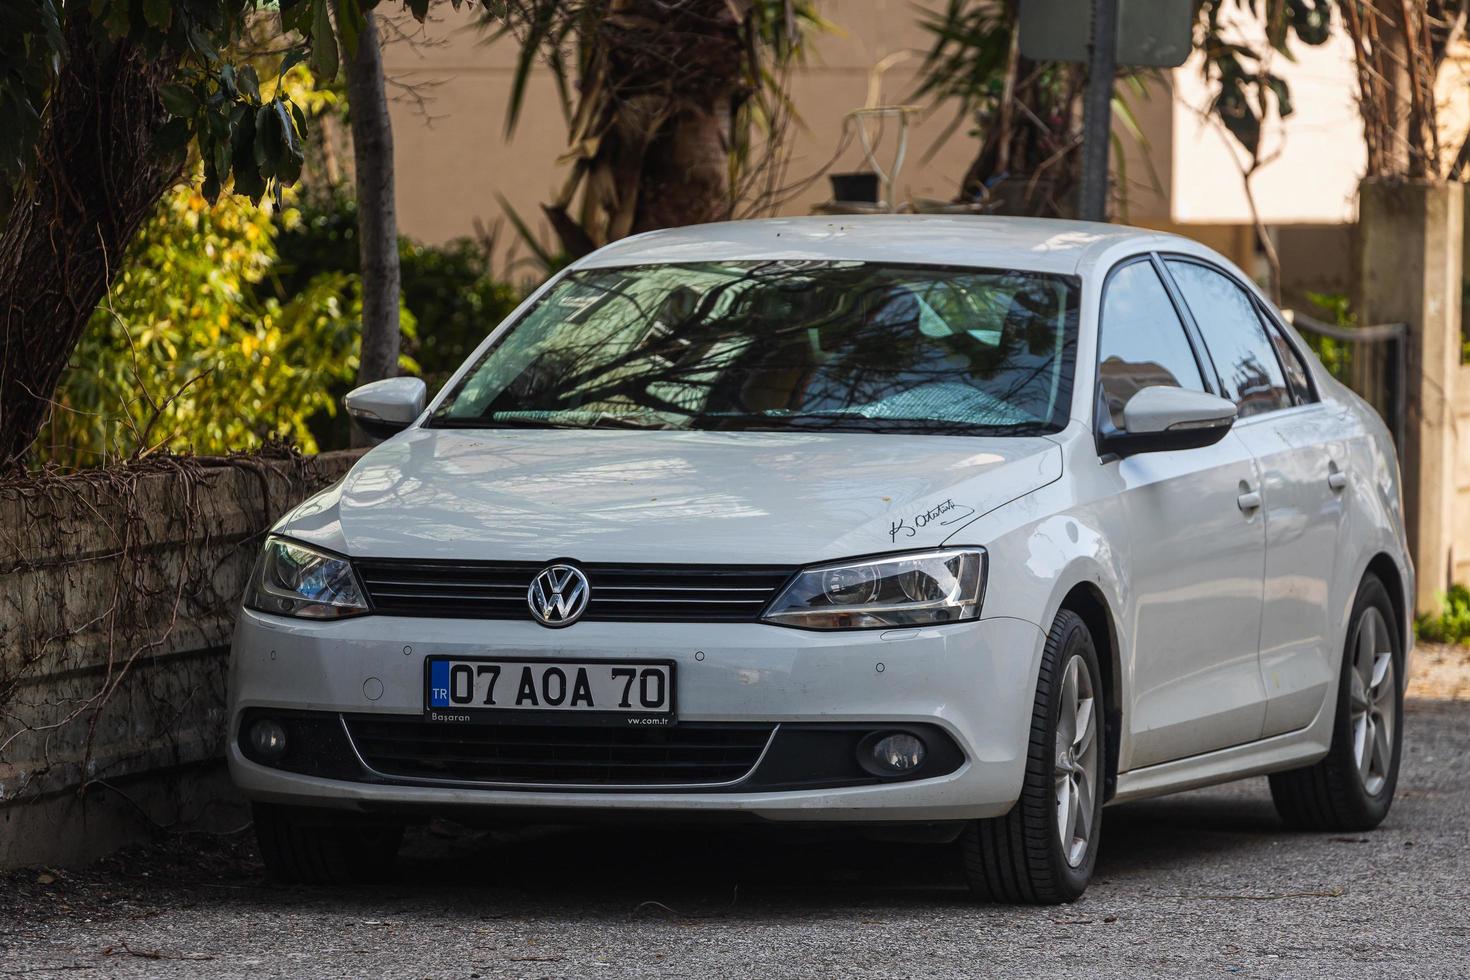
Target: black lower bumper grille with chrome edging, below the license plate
{"x":558,"y":756}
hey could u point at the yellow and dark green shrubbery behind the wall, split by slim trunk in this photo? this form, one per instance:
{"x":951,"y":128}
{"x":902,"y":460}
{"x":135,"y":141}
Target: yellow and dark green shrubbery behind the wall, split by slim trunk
{"x":232,"y":325}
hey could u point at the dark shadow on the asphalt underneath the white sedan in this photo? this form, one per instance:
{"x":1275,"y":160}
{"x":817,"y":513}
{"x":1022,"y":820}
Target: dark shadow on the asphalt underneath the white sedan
{"x":712,"y":869}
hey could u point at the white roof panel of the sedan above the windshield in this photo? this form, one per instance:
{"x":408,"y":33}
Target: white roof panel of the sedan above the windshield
{"x":987,"y":242}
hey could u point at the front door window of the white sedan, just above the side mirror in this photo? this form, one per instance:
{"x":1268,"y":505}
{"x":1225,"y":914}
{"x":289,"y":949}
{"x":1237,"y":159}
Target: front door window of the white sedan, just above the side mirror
{"x":1143,"y":342}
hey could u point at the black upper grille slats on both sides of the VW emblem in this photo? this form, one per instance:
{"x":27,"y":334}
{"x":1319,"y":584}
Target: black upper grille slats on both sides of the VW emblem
{"x":637,"y":593}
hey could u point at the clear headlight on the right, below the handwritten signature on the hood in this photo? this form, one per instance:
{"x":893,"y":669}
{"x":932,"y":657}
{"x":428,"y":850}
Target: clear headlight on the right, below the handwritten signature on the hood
{"x":909,"y":590}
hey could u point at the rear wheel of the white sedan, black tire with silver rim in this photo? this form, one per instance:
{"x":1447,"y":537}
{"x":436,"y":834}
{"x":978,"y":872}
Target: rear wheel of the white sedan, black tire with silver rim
{"x":1347,"y":791}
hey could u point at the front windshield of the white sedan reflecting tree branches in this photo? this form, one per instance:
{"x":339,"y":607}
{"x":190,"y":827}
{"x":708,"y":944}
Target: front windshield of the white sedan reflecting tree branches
{"x":781,"y":346}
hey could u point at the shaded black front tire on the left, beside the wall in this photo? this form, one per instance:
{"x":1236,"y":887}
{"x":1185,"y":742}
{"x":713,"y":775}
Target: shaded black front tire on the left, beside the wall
{"x":304,"y":847}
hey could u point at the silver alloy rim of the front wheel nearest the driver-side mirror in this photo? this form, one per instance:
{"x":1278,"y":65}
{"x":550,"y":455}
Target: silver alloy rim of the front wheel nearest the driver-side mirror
{"x":1077,"y":768}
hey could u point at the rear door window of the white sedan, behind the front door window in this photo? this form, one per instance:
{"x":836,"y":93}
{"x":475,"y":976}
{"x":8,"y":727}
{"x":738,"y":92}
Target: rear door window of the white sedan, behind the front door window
{"x":1233,"y":331}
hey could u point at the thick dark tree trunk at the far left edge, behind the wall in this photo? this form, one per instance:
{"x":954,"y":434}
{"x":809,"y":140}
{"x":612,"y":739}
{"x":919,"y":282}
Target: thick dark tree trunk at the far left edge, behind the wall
{"x":98,"y":180}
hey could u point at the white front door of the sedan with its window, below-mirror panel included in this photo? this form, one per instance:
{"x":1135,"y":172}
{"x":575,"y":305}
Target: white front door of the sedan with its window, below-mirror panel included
{"x":1194,"y":552}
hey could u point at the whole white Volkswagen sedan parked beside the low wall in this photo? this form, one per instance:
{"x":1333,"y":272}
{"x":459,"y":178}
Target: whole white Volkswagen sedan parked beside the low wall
{"x":962,"y":525}
